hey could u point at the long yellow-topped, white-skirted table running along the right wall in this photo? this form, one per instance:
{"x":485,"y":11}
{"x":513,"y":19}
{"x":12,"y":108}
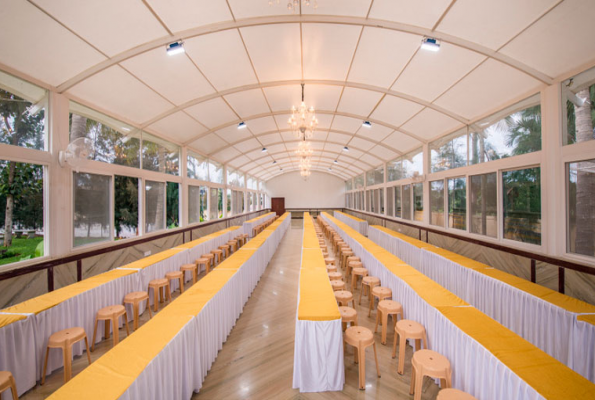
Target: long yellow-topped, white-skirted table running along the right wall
{"x":542,"y":316}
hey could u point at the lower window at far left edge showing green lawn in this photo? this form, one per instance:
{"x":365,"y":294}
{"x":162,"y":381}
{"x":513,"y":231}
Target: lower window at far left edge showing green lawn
{"x":21,"y":207}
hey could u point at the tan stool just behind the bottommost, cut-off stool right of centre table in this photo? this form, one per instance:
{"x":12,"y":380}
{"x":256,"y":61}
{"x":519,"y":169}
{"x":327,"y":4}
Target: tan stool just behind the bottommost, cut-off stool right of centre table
{"x":432,"y":364}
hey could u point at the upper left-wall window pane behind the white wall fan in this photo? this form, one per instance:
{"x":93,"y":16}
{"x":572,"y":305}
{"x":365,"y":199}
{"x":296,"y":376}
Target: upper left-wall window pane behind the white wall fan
{"x":114,"y":142}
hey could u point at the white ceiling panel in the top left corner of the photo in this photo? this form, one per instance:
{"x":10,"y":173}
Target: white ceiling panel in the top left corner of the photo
{"x":42,"y":48}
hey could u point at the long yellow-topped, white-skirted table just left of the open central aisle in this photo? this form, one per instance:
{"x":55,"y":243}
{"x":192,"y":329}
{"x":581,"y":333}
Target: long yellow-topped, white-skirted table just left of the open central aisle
{"x":169,"y":356}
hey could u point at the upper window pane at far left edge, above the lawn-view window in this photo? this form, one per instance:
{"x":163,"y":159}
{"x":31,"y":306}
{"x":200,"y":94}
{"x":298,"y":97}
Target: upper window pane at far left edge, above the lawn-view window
{"x":22,"y":113}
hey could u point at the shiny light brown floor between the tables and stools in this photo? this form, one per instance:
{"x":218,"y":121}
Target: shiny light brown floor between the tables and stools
{"x":256,"y":362}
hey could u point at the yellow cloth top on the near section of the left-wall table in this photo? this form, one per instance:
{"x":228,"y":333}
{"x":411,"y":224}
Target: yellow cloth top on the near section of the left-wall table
{"x":49,"y":300}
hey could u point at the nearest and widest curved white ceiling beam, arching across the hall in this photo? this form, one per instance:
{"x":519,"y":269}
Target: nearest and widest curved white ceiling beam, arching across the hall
{"x":327,"y":19}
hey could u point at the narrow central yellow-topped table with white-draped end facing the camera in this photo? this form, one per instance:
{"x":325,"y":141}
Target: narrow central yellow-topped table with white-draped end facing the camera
{"x":318,"y":354}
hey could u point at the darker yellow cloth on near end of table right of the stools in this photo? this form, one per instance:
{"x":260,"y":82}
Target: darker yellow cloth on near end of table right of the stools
{"x":549,"y":377}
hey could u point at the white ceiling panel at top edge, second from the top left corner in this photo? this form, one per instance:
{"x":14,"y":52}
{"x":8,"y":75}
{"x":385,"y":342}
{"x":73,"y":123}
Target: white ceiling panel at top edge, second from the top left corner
{"x":112,"y":26}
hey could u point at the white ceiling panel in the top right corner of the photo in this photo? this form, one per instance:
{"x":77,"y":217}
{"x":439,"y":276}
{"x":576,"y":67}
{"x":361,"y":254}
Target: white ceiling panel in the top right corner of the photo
{"x":560,"y":41}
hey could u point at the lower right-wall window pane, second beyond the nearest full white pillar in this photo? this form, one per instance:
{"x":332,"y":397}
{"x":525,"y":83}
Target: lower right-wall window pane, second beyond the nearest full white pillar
{"x":483,"y":203}
